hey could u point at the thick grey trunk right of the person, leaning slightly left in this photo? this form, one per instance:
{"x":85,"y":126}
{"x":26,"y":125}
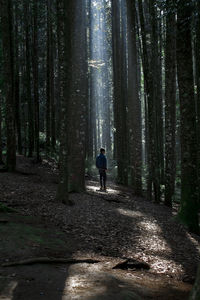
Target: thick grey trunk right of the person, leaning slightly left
{"x":134,"y":104}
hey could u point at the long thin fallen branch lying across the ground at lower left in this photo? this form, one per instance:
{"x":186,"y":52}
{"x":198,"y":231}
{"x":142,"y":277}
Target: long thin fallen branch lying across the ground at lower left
{"x":49,"y":260}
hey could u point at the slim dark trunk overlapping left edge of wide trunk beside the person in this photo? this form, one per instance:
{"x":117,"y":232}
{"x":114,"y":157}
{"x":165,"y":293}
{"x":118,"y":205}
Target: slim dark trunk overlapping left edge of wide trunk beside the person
{"x":63,"y":187}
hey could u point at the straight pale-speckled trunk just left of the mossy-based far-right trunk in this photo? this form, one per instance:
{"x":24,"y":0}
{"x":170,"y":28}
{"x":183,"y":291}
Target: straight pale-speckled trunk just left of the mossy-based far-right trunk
{"x":170,"y":102}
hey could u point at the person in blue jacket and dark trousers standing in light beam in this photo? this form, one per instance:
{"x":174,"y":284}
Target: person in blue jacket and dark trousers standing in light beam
{"x":101,"y":164}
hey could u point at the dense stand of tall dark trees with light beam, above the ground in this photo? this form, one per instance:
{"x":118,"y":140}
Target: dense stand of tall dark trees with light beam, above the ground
{"x":77,"y":75}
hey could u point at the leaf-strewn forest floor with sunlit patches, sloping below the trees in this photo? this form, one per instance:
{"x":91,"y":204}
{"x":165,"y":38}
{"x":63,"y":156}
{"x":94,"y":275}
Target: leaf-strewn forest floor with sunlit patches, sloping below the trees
{"x":106,"y":228}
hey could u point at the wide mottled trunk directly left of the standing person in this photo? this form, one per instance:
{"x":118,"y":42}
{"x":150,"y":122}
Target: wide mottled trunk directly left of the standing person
{"x":78,"y":105}
